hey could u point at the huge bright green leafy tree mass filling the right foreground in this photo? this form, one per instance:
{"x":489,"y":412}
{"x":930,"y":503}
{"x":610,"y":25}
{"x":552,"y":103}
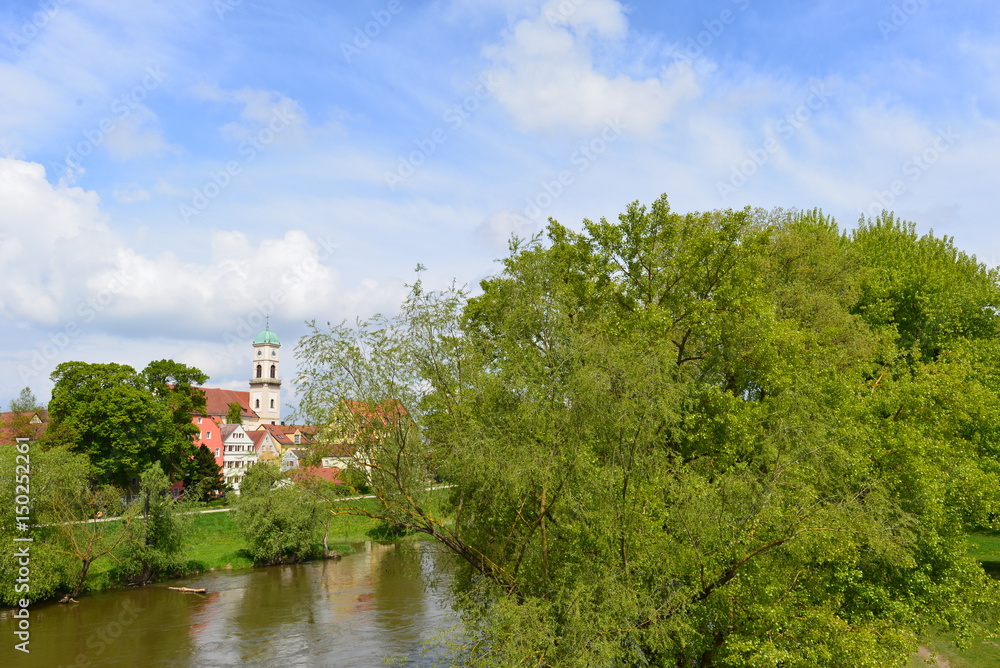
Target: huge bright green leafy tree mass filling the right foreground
{"x":674,"y":440}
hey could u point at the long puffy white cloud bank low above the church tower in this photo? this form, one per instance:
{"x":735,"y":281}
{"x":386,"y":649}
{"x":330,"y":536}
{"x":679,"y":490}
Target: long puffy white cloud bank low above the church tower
{"x":61,"y":261}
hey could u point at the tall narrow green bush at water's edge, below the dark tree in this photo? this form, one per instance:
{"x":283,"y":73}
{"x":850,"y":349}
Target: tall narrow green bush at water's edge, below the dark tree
{"x":155,"y":546}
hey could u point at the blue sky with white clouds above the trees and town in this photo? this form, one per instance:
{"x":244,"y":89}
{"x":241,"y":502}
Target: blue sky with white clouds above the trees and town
{"x":174,"y":173}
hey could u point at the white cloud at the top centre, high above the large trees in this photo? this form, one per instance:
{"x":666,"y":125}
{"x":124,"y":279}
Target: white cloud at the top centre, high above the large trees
{"x":550,"y":78}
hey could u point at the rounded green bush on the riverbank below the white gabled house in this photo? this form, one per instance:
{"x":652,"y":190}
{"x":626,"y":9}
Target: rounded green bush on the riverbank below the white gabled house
{"x":277,"y":519}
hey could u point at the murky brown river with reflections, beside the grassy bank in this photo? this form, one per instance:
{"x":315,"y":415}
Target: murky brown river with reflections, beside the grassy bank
{"x":375,"y":603}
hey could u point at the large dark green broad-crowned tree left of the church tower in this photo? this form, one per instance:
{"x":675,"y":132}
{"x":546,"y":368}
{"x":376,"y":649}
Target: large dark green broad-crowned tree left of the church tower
{"x":123,"y":420}
